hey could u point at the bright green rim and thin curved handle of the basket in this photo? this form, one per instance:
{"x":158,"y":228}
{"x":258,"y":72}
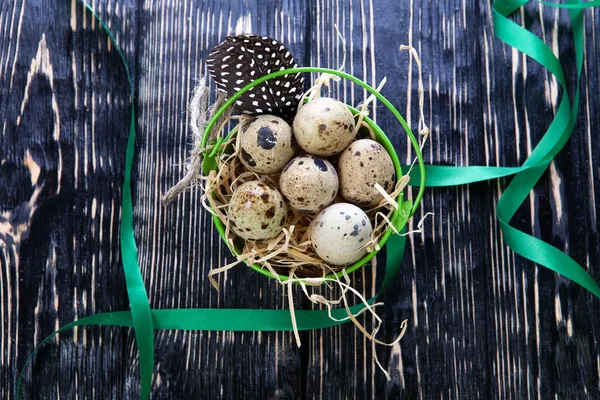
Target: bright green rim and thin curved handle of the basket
{"x":399,"y":218}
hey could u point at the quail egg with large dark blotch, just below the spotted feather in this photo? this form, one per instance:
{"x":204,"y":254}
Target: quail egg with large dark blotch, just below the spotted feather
{"x":266,"y":144}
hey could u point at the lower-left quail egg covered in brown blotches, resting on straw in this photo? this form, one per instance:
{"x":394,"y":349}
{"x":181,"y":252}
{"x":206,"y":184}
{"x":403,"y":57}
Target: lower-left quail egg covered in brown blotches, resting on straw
{"x":256,"y":211}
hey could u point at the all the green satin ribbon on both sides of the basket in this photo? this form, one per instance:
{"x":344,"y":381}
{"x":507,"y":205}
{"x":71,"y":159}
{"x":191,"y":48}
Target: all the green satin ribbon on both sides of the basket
{"x":145,"y":320}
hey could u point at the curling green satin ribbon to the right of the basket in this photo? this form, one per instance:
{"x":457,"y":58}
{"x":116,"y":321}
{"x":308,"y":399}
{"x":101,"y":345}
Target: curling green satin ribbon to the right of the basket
{"x":552,"y":142}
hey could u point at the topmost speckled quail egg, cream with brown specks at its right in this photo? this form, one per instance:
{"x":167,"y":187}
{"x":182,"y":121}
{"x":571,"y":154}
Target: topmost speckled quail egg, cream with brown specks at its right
{"x":323,"y":126}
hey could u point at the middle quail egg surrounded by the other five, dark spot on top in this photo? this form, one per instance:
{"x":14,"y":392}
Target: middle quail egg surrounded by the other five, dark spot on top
{"x":310,"y":183}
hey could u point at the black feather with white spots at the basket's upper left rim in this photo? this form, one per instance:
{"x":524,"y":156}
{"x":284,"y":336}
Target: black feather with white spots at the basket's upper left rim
{"x":240,"y":60}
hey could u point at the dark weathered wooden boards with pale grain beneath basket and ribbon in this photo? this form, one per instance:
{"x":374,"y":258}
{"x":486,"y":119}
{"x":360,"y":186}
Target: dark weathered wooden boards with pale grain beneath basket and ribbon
{"x":483,"y":323}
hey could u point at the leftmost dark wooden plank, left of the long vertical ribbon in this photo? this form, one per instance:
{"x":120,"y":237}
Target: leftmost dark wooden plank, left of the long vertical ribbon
{"x":64,"y":126}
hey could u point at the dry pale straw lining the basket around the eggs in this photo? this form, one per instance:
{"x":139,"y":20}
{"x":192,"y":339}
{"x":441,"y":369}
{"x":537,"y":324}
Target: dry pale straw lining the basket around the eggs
{"x":290,"y":253}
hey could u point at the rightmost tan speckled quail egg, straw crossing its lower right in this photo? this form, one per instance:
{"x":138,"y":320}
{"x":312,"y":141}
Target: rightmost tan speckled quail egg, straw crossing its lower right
{"x":364,"y":163}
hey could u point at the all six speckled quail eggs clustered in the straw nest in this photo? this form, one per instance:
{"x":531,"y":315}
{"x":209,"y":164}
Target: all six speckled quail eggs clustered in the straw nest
{"x":309,"y":182}
